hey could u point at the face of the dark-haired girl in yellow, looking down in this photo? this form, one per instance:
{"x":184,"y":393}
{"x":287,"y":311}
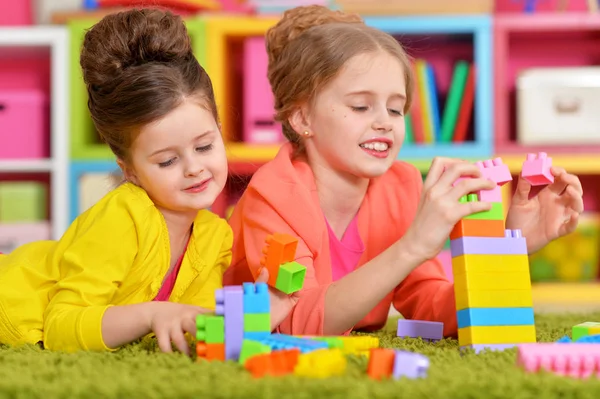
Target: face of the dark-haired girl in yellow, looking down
{"x":180,"y":160}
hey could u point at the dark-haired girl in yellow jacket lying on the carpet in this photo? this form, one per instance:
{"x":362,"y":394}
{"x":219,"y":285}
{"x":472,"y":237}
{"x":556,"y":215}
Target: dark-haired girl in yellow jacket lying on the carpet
{"x":147,"y":257}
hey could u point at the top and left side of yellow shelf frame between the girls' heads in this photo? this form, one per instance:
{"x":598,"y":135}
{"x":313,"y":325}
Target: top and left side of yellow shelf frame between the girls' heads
{"x":222,"y":31}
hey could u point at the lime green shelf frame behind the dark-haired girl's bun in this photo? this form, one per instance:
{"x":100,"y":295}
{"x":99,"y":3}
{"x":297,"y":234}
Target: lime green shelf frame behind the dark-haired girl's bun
{"x":85,"y":141}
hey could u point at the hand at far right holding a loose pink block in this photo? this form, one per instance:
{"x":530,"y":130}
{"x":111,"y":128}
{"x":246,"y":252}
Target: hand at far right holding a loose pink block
{"x":552,"y":213}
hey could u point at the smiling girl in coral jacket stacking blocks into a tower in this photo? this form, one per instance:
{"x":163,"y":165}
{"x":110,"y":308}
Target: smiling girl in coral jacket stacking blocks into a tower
{"x":369,"y":228}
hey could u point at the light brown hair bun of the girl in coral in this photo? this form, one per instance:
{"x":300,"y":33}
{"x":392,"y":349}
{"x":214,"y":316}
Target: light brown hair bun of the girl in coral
{"x":297,"y":20}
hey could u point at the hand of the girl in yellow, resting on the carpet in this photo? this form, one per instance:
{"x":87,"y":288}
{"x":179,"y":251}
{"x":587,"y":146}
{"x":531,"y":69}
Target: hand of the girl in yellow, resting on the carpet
{"x":170,"y":321}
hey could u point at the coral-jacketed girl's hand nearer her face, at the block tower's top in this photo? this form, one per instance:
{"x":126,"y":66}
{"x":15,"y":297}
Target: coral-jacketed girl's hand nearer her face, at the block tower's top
{"x":439,"y":208}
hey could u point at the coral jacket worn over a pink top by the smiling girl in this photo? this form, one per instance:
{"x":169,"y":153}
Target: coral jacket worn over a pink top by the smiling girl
{"x":282,"y":197}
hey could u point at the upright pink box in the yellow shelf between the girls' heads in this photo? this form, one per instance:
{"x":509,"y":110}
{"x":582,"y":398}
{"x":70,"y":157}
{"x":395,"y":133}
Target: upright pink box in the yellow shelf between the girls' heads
{"x":259,"y":123}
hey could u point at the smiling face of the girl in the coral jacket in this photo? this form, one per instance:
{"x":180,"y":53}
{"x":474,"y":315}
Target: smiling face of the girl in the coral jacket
{"x":357,"y":121}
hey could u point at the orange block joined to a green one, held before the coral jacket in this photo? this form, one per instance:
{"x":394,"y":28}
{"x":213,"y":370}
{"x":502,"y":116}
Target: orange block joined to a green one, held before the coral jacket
{"x":279,"y":249}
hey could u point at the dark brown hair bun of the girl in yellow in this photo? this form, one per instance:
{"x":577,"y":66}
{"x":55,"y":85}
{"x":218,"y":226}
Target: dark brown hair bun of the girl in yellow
{"x":127,"y":39}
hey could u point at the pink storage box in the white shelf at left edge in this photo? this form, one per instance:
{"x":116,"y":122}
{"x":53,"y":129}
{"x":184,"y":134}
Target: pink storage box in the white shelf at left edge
{"x":23,"y":124}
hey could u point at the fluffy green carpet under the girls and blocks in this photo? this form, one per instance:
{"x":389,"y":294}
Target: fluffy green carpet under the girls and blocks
{"x":141,"y":371}
